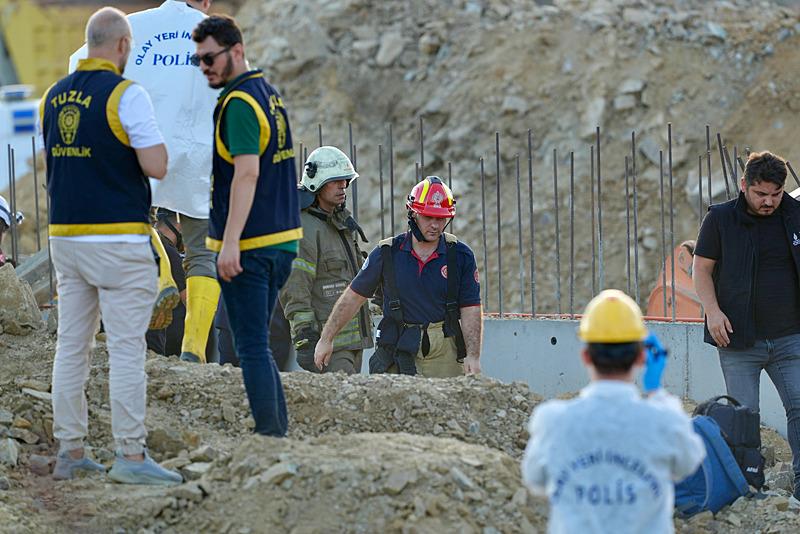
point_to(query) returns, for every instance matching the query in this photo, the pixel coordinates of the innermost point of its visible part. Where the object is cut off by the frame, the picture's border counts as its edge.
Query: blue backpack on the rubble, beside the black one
(717, 482)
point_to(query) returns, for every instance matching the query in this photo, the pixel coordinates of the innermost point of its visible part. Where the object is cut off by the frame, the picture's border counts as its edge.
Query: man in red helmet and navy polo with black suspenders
(432, 317)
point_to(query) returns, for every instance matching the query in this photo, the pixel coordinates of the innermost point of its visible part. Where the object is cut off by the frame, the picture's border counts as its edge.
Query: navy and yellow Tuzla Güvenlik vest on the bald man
(95, 183)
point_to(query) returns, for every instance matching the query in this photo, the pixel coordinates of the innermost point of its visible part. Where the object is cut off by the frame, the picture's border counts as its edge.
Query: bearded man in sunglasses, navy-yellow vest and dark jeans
(254, 222)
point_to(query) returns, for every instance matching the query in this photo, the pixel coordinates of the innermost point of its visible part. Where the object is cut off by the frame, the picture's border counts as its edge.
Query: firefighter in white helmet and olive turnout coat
(328, 260)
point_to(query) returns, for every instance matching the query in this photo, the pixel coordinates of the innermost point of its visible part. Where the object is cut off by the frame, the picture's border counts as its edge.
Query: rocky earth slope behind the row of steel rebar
(559, 68)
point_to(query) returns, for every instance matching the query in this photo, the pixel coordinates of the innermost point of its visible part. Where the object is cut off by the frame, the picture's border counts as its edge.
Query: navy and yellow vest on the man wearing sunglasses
(275, 215)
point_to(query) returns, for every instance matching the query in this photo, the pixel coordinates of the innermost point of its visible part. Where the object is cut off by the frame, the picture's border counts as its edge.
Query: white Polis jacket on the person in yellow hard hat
(608, 459)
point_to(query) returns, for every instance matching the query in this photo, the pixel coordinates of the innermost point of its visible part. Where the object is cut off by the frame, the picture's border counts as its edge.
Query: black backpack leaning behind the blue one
(741, 428)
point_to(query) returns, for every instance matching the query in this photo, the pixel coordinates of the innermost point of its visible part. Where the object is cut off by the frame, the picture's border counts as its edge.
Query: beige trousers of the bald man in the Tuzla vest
(118, 282)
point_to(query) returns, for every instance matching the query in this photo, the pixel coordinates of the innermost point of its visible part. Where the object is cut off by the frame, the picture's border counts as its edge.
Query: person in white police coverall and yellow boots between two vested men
(160, 61)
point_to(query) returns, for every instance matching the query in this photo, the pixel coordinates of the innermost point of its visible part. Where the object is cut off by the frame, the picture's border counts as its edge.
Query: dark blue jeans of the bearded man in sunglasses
(249, 300)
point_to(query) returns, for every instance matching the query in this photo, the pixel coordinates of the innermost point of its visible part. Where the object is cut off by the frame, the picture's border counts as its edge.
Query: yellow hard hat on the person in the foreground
(612, 317)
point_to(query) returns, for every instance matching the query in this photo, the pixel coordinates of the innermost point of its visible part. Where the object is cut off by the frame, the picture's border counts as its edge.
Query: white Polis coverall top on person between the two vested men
(183, 102)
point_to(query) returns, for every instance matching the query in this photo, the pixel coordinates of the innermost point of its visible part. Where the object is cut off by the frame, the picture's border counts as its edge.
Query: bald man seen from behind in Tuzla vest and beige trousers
(102, 143)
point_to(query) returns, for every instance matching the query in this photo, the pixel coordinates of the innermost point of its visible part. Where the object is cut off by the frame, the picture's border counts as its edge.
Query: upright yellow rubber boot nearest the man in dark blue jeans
(202, 297)
